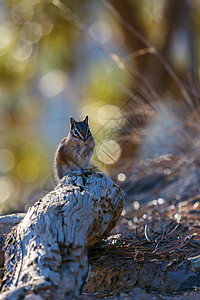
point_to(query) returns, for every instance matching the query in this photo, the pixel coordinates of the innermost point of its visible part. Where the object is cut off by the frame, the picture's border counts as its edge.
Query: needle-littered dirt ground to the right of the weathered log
(154, 252)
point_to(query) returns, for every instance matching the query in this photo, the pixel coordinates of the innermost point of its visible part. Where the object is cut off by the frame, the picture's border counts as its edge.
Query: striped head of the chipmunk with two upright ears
(80, 130)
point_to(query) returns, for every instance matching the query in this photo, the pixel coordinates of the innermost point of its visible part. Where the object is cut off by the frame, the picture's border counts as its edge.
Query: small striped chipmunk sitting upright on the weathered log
(74, 151)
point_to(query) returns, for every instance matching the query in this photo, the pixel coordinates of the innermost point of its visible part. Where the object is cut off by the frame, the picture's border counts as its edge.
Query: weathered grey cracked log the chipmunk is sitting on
(46, 252)
